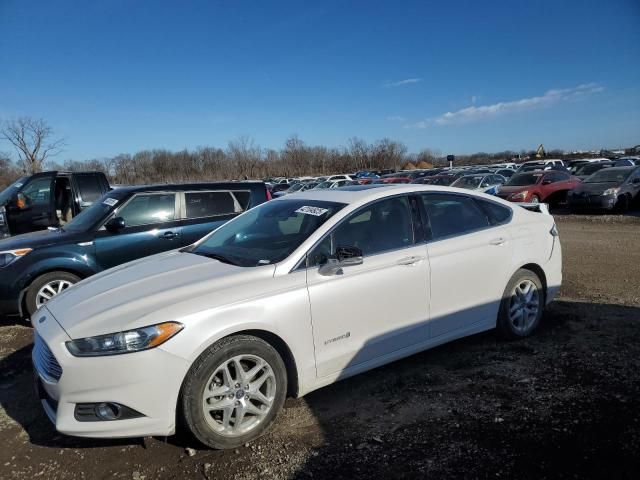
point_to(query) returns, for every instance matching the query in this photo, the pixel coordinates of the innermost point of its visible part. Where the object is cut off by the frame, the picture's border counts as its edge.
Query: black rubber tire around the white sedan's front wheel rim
(190, 401)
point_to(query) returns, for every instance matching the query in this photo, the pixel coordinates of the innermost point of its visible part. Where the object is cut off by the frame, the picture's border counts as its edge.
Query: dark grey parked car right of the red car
(610, 188)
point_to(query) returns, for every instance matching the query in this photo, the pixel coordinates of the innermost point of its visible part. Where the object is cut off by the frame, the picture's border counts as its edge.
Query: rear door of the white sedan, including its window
(469, 254)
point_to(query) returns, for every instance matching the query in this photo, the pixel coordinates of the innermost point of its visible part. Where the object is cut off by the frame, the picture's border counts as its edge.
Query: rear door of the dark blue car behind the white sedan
(204, 211)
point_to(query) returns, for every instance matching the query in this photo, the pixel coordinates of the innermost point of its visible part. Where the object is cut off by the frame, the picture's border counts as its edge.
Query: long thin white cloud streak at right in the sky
(473, 113)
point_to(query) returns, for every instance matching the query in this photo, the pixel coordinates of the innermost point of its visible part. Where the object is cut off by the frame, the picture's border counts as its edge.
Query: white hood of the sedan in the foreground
(152, 290)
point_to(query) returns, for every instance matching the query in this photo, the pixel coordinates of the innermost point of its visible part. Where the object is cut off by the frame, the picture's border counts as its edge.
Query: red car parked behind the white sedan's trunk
(547, 186)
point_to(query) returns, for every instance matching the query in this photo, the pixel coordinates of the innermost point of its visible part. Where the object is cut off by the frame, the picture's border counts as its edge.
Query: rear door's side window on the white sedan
(451, 215)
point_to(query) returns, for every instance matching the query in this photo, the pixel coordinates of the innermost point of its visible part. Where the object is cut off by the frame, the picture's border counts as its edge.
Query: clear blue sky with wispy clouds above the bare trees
(119, 76)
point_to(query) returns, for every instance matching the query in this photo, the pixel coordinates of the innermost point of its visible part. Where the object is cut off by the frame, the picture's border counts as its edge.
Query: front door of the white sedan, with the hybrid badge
(381, 306)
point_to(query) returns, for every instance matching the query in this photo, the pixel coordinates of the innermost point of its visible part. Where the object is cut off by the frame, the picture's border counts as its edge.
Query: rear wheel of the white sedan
(522, 305)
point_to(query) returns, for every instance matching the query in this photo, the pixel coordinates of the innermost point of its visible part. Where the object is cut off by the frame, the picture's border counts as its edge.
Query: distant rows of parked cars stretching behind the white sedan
(582, 184)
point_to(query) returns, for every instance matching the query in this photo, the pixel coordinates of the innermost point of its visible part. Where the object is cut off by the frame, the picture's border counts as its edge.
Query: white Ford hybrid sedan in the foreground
(290, 296)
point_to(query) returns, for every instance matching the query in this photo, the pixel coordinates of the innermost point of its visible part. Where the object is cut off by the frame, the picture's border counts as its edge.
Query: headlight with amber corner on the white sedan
(124, 342)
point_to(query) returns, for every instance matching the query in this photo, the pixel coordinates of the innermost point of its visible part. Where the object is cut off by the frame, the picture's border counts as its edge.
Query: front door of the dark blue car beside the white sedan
(151, 226)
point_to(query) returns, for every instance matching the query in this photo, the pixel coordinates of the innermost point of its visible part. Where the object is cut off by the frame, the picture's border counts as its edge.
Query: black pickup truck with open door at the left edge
(48, 199)
